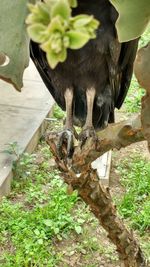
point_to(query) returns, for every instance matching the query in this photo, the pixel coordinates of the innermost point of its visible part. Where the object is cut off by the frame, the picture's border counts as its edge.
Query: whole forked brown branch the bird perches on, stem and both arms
(81, 177)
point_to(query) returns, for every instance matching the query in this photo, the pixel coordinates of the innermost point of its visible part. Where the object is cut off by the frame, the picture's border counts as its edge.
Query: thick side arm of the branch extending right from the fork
(116, 136)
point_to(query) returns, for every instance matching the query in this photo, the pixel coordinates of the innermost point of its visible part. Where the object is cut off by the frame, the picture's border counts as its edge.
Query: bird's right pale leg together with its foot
(88, 129)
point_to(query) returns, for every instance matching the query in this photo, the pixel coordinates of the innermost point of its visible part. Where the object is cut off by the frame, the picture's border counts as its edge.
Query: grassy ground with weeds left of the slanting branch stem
(39, 214)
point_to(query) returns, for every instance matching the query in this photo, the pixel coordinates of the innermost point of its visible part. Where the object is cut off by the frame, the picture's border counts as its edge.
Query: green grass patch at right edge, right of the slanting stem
(135, 176)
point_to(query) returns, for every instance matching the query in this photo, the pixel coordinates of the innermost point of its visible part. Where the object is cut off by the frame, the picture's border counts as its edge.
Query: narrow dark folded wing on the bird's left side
(39, 59)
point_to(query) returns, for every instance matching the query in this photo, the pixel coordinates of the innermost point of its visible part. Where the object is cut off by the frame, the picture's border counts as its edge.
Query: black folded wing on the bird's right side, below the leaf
(120, 65)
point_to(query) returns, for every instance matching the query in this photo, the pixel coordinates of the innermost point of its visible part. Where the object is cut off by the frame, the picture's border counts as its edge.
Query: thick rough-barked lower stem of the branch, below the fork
(100, 202)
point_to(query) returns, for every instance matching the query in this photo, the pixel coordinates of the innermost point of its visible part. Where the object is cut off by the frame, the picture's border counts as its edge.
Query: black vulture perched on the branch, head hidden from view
(94, 79)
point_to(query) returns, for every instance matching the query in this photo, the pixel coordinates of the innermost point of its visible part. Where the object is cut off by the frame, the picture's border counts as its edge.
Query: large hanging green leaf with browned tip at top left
(14, 41)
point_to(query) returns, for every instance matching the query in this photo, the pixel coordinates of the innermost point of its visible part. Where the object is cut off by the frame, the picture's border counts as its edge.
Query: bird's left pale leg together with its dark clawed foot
(66, 136)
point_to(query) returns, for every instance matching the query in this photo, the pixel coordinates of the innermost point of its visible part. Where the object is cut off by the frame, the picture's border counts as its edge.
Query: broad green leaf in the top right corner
(134, 16)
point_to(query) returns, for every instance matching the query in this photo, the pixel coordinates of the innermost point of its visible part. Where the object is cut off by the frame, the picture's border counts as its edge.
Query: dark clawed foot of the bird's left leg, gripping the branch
(65, 145)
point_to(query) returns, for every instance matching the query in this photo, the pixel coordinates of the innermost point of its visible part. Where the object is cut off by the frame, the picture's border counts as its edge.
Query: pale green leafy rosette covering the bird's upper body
(51, 25)
